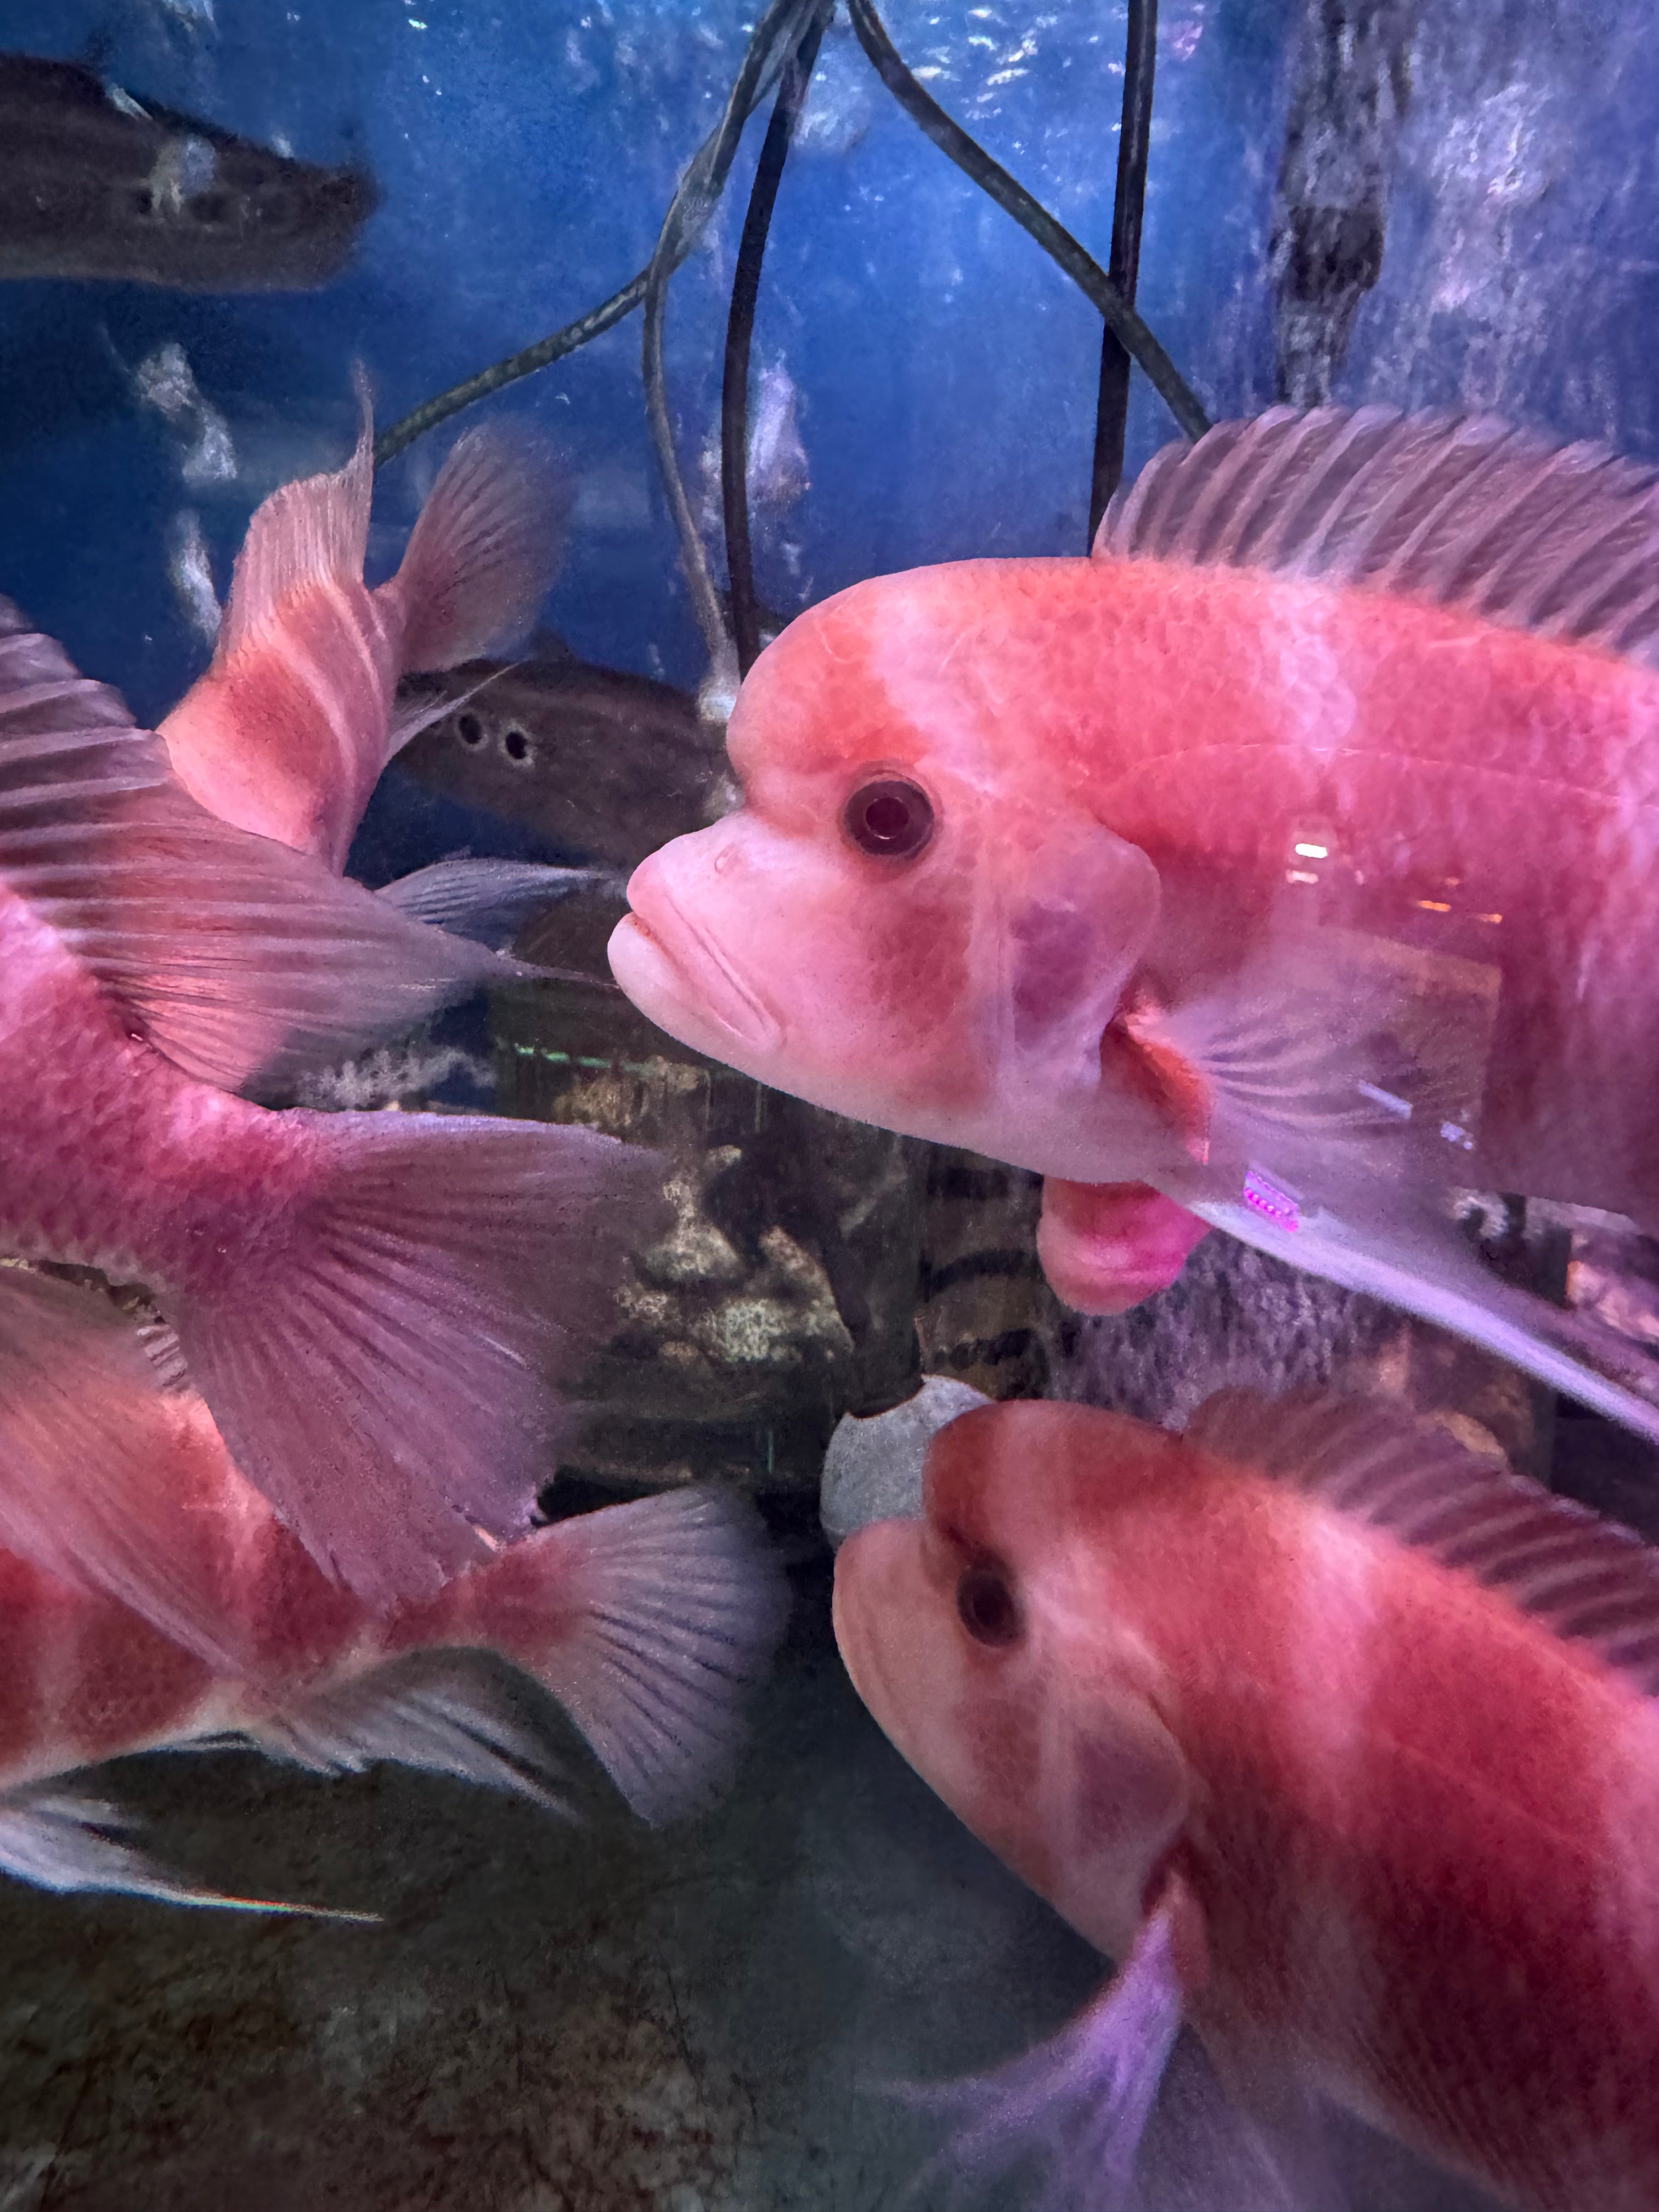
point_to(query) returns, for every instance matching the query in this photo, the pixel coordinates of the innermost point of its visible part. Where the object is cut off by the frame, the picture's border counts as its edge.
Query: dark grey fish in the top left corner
(96, 185)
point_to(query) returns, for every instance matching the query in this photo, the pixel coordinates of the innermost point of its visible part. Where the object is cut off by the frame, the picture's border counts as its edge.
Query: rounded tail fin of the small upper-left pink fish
(483, 554)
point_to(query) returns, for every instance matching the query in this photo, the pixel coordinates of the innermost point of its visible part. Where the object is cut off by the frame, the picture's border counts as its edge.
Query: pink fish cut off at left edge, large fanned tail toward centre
(377, 1308)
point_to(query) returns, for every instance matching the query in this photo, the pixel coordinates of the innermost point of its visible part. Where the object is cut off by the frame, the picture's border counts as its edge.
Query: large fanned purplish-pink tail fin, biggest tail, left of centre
(386, 1366)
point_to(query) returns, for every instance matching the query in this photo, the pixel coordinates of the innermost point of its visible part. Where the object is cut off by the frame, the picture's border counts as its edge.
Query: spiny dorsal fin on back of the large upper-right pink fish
(1463, 512)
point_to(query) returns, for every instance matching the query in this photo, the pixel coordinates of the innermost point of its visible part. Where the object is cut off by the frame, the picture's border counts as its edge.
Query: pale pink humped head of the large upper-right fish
(908, 919)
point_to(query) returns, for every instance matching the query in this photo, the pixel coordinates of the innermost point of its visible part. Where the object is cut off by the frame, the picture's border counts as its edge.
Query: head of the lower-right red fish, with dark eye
(983, 1640)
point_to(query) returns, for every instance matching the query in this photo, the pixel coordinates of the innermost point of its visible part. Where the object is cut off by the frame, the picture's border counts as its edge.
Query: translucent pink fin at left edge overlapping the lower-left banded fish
(81, 1434)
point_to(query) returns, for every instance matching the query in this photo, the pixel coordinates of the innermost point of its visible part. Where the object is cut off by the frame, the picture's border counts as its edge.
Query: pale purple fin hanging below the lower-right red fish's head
(1078, 2105)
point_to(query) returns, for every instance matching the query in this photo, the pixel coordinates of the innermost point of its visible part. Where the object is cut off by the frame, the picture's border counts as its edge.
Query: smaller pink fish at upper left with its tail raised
(293, 722)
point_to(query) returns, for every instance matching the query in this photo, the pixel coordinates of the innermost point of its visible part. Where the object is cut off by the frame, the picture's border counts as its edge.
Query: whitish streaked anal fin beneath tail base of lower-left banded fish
(446, 1713)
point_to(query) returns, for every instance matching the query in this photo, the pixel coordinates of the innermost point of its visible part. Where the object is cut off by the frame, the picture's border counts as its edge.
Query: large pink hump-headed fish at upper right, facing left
(1293, 855)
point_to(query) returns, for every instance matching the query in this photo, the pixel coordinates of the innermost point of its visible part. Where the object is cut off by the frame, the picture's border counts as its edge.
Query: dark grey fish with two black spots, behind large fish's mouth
(587, 758)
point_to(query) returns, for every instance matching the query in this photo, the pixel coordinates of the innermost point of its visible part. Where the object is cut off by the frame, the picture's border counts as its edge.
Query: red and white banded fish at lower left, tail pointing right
(645, 1620)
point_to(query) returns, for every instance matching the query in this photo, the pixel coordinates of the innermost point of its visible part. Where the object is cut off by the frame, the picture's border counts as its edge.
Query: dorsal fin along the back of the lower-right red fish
(1583, 1576)
